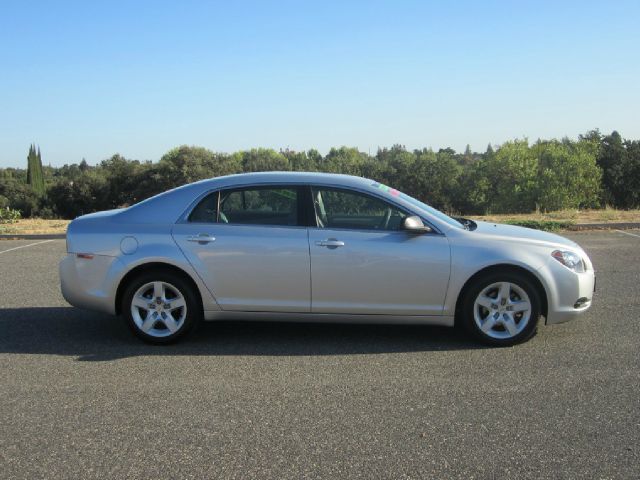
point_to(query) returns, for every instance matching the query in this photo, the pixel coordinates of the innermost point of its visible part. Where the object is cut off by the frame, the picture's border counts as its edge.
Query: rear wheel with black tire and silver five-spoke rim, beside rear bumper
(160, 307)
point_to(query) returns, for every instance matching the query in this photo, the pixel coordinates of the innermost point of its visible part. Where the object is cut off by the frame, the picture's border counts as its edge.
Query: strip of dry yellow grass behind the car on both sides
(36, 225)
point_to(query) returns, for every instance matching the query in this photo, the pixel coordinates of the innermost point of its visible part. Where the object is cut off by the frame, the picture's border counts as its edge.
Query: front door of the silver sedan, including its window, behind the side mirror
(362, 262)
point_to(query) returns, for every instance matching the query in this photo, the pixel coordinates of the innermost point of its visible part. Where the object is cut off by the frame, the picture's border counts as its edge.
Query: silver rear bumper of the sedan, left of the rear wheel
(86, 283)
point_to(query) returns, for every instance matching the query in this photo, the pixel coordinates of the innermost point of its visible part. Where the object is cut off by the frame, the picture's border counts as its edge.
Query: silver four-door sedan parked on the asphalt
(286, 246)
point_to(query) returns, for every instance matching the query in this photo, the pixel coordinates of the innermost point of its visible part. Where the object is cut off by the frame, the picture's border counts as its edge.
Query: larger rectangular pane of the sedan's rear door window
(259, 206)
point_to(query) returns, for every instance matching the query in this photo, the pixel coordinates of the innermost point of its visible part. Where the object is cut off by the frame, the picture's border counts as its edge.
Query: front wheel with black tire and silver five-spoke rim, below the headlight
(501, 309)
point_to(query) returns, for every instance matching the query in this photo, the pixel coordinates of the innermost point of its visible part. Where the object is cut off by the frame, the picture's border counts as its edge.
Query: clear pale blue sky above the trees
(88, 79)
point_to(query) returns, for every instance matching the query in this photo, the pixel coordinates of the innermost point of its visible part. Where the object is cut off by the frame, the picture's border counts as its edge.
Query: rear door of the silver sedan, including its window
(250, 248)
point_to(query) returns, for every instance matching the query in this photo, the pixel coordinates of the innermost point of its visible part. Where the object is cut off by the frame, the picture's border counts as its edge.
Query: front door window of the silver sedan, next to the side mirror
(347, 209)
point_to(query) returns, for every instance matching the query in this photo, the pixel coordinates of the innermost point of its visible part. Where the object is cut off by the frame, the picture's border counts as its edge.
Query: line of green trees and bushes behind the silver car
(592, 171)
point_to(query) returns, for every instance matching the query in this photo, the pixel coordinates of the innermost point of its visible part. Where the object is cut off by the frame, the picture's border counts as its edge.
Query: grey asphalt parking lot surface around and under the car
(80, 397)
